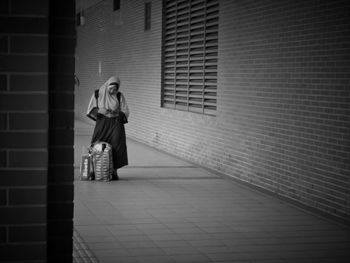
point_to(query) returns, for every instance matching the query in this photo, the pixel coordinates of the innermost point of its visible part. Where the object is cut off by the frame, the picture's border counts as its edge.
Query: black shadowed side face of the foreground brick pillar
(61, 133)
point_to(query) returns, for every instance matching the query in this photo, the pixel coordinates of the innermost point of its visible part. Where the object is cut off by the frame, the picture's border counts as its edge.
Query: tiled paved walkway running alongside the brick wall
(166, 210)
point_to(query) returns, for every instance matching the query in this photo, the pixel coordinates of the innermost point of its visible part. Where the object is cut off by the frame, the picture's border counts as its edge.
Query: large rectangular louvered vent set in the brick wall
(190, 55)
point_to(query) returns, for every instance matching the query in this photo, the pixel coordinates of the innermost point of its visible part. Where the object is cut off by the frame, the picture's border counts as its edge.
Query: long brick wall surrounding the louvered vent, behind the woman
(283, 94)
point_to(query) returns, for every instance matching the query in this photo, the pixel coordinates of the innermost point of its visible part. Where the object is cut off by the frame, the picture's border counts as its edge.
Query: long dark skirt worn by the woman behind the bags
(112, 131)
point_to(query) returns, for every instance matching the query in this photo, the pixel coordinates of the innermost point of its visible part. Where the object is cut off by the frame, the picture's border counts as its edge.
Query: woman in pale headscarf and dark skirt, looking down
(108, 126)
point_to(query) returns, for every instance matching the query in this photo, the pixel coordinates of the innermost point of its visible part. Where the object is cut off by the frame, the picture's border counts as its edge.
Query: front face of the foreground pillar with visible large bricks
(23, 131)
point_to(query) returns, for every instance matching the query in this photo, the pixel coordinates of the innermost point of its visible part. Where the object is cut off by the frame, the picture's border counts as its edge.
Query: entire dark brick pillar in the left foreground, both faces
(35, 181)
